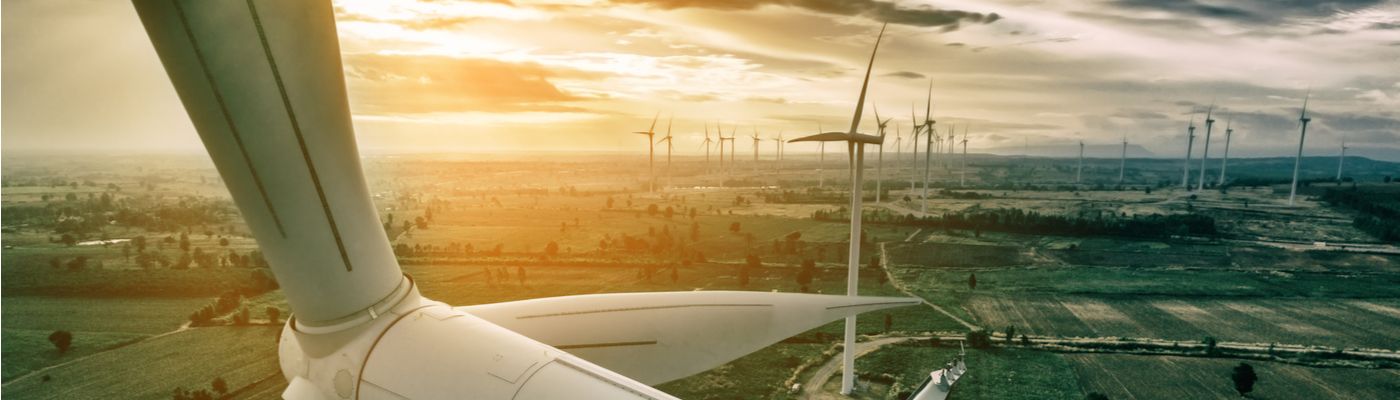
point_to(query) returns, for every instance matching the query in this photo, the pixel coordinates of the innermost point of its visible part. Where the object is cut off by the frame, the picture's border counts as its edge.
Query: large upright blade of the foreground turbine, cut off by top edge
(264, 86)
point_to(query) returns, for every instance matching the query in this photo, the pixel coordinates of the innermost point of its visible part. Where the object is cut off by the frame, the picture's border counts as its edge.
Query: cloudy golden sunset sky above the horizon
(577, 76)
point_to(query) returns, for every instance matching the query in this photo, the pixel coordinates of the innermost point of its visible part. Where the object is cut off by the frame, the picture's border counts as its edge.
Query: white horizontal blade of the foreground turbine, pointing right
(657, 338)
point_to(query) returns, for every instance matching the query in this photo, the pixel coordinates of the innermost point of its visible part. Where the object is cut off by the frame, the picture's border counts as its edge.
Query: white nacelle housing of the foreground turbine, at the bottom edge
(440, 353)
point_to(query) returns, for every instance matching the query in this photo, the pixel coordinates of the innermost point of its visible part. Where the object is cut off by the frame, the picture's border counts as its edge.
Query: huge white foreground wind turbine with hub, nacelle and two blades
(360, 329)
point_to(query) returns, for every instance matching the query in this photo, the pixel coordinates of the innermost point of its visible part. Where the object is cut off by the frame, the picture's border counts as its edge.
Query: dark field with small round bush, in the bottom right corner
(1172, 378)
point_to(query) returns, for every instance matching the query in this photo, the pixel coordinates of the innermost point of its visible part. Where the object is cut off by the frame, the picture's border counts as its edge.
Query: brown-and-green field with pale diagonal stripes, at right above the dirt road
(1368, 324)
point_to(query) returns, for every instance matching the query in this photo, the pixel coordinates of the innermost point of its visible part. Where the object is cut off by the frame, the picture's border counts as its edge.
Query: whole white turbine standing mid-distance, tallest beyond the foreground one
(856, 152)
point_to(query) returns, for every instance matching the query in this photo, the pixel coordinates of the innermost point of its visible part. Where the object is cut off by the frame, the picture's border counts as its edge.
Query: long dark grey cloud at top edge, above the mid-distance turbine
(885, 12)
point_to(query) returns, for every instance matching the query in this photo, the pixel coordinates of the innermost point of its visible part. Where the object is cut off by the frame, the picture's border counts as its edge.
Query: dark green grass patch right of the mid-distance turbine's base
(1006, 374)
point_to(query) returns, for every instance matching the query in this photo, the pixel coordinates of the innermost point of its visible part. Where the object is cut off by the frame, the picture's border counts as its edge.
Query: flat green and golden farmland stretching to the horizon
(586, 227)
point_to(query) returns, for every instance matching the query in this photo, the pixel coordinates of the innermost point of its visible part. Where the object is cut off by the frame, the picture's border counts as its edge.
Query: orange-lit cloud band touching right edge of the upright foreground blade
(429, 85)
